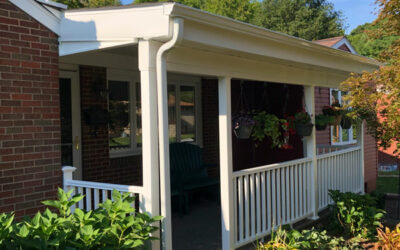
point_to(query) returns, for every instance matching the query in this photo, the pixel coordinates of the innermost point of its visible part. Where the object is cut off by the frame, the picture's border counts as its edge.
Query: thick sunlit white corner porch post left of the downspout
(148, 78)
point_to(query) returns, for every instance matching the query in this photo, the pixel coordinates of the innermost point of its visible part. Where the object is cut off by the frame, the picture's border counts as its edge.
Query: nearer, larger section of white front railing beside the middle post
(268, 196)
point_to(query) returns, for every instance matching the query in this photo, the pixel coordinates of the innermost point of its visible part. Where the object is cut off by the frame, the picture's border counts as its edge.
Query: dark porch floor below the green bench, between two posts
(200, 228)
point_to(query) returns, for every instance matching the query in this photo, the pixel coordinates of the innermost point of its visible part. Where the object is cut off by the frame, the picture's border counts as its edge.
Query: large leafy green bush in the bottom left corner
(115, 225)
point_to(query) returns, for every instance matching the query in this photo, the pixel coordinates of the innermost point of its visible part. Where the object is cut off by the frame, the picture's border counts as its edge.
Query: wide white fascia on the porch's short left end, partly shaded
(89, 28)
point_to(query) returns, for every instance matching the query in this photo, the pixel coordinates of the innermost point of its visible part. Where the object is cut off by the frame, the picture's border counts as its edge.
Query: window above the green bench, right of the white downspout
(184, 113)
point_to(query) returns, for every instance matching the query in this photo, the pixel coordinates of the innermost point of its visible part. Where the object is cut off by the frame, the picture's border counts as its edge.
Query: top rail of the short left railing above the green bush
(105, 186)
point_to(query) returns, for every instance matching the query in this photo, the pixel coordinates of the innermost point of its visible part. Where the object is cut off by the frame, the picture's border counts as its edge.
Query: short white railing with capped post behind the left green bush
(97, 192)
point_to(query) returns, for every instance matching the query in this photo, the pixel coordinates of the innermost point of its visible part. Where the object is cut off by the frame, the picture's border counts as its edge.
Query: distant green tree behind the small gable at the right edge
(368, 44)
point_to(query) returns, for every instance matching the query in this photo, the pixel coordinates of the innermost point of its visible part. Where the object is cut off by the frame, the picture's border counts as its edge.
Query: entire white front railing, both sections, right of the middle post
(268, 196)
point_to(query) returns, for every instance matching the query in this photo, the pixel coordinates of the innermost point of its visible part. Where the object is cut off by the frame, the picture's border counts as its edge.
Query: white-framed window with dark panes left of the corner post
(124, 107)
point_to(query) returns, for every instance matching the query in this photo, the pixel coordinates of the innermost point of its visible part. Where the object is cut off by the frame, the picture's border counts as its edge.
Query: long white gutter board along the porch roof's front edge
(251, 31)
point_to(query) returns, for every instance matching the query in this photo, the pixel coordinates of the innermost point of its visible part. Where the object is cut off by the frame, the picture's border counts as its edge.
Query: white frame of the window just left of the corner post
(132, 79)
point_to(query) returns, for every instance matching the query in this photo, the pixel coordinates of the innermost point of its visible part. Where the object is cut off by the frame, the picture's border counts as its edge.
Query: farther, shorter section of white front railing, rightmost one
(340, 170)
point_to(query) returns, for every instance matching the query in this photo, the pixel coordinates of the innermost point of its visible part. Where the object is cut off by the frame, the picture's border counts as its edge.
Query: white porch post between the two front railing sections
(311, 147)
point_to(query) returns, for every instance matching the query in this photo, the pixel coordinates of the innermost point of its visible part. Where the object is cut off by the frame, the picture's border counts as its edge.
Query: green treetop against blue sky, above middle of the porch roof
(308, 19)
